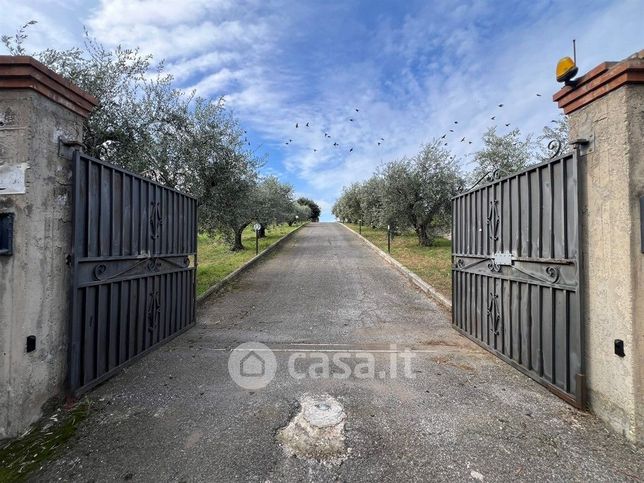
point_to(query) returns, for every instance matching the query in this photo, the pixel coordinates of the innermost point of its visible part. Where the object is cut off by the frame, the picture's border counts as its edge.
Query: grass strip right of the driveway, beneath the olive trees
(432, 264)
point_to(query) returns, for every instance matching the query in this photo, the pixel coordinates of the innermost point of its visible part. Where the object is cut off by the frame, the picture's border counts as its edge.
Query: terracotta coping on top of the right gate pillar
(601, 80)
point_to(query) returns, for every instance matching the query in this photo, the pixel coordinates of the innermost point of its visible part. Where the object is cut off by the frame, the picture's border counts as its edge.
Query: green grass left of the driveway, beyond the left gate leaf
(215, 260)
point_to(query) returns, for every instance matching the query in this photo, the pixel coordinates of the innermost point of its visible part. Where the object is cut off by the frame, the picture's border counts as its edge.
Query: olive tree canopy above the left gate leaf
(191, 143)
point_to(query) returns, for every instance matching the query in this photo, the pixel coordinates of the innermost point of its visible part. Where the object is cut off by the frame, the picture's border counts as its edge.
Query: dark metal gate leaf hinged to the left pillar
(134, 262)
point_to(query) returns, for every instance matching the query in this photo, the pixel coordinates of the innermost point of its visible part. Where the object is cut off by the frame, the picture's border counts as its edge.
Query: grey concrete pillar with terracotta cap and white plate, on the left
(37, 108)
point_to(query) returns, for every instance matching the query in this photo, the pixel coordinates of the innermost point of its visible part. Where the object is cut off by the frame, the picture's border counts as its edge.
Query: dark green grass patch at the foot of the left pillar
(23, 455)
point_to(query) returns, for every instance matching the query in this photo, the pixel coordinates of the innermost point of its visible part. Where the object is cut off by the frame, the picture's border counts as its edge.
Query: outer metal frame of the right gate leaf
(580, 399)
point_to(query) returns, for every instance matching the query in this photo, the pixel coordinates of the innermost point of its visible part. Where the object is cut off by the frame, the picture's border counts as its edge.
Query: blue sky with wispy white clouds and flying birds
(412, 68)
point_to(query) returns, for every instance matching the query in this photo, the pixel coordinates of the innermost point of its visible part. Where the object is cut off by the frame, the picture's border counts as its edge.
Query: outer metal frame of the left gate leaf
(73, 350)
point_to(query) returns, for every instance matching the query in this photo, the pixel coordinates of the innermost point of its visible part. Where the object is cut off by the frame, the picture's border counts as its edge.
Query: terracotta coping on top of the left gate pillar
(23, 72)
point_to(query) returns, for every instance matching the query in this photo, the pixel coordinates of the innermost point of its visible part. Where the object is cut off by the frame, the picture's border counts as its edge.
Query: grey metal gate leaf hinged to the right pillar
(515, 273)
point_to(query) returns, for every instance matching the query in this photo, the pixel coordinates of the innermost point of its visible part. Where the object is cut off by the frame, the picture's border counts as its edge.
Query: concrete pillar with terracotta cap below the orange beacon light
(606, 108)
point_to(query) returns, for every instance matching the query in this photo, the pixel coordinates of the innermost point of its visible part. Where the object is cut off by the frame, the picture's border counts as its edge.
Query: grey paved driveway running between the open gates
(177, 415)
